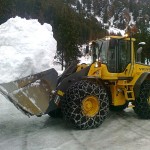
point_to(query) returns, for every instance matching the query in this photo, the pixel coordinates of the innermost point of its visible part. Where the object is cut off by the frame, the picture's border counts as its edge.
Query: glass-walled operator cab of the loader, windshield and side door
(114, 52)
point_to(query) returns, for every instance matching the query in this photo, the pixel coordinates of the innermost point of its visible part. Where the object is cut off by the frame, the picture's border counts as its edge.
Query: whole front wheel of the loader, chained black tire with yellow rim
(86, 104)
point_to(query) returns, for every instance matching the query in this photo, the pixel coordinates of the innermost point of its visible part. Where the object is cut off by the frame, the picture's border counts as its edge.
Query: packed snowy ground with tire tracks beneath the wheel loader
(120, 131)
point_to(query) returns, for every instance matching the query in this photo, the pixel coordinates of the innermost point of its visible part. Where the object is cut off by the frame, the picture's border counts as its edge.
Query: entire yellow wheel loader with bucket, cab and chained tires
(84, 93)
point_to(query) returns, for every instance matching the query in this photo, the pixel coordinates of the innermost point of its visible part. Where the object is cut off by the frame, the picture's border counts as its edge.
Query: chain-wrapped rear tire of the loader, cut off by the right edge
(142, 103)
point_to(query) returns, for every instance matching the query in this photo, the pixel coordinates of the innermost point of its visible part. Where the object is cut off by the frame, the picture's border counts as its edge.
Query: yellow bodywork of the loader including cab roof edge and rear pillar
(121, 85)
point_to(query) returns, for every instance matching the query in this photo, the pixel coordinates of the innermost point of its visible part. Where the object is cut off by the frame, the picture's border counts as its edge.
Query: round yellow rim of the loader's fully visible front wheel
(90, 106)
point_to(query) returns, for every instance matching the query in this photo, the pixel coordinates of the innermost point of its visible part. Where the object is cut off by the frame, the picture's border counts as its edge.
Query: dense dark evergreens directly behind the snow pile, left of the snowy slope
(70, 29)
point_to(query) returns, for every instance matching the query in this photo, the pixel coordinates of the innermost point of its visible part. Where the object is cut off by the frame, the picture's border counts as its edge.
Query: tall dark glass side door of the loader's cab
(119, 55)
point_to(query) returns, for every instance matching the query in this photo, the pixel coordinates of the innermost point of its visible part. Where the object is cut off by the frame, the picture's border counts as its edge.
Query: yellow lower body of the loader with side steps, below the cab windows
(120, 86)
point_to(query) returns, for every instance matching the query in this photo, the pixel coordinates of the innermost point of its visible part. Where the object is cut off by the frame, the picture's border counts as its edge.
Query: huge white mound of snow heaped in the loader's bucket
(26, 47)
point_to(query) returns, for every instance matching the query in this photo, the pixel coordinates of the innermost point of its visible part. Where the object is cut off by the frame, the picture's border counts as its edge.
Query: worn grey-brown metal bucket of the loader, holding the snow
(31, 94)
